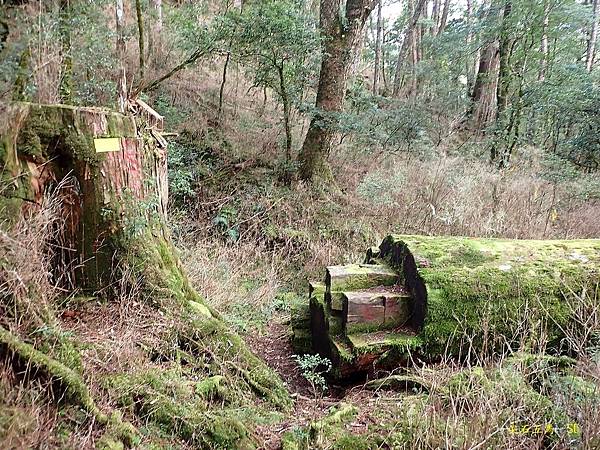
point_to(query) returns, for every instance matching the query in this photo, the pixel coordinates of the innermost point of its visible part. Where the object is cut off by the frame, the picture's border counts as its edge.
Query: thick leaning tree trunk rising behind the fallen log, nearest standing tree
(342, 38)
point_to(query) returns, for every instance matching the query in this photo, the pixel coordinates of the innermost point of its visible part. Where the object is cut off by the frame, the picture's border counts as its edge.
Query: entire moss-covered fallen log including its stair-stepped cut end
(427, 297)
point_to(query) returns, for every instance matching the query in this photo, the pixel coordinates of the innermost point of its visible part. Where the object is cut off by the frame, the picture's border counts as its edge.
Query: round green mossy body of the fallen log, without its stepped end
(494, 294)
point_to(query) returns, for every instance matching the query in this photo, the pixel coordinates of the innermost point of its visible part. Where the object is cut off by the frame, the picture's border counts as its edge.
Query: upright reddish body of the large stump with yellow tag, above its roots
(110, 172)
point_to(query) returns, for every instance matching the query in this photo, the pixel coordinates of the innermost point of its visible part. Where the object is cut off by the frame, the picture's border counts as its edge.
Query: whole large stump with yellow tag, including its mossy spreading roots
(193, 383)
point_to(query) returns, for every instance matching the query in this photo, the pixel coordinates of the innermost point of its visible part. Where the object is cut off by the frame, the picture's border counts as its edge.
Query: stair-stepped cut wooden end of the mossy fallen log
(360, 313)
